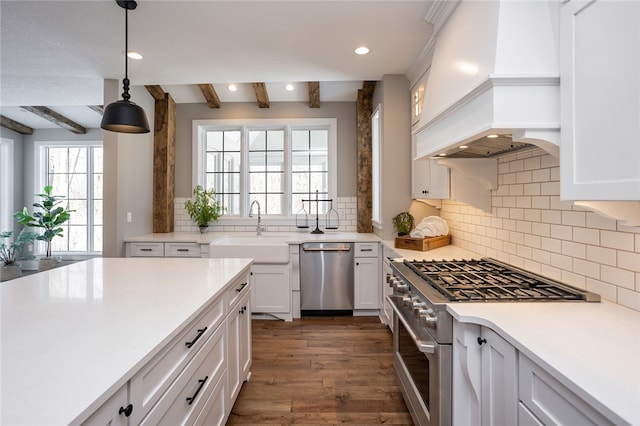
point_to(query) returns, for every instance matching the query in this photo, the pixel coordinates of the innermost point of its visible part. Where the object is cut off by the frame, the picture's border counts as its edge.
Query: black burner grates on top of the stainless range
(490, 280)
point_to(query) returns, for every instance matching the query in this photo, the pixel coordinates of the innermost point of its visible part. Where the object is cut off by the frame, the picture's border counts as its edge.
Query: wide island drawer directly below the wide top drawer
(185, 399)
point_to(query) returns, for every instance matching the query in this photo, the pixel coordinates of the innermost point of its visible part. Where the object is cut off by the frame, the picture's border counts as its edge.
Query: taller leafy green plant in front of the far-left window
(48, 216)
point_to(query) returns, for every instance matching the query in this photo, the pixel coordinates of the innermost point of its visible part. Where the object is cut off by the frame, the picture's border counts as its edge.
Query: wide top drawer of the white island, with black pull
(148, 385)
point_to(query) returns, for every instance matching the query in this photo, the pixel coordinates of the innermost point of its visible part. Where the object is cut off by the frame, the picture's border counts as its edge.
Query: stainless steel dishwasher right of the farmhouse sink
(326, 279)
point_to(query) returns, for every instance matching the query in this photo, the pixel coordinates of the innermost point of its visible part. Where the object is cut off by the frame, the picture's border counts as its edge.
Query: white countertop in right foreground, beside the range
(592, 348)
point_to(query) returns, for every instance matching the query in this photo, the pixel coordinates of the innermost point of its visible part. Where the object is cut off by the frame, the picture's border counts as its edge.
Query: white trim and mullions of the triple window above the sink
(199, 129)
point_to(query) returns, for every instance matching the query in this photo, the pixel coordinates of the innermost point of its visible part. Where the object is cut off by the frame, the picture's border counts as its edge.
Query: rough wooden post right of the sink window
(364, 109)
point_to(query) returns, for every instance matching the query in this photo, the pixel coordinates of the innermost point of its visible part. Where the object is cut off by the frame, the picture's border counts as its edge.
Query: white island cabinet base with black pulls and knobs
(196, 377)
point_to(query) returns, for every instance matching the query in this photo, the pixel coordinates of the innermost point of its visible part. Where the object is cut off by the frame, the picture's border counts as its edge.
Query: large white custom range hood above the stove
(494, 71)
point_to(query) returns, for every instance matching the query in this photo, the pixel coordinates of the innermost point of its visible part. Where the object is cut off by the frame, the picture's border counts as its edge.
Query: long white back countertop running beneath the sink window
(289, 237)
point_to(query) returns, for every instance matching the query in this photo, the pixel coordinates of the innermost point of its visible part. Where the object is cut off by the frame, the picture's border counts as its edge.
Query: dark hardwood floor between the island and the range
(321, 370)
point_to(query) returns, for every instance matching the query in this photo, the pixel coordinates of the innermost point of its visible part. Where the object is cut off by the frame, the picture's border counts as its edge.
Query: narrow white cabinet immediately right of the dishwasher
(367, 271)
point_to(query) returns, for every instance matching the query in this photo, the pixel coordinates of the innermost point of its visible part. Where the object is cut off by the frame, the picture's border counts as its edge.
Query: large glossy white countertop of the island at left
(73, 335)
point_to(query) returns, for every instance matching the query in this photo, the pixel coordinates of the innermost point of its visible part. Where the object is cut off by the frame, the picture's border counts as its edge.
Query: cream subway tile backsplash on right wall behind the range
(530, 227)
